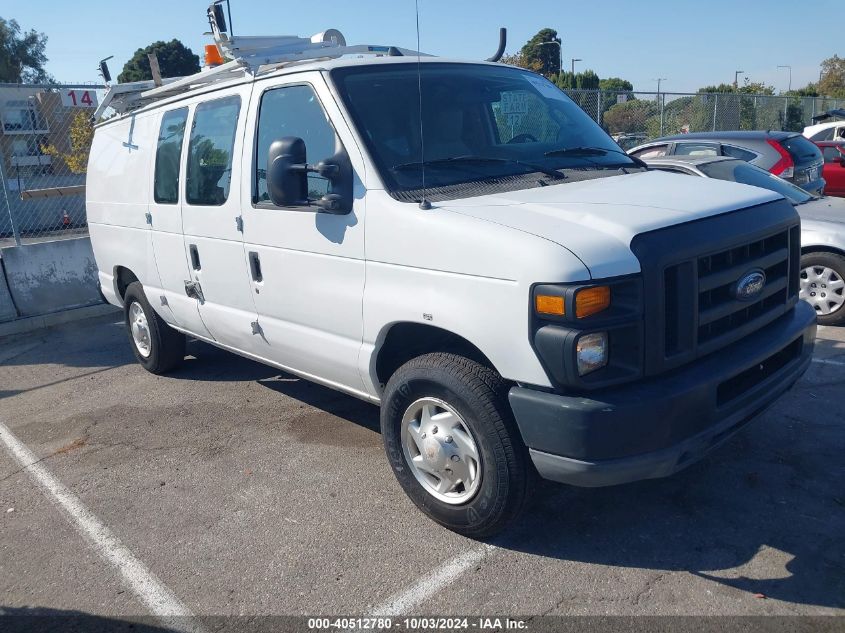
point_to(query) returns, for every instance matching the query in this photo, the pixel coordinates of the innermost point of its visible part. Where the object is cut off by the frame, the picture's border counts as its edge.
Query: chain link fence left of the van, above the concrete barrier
(45, 137)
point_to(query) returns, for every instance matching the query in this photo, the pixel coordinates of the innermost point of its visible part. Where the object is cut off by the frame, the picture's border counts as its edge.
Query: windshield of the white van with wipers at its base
(483, 128)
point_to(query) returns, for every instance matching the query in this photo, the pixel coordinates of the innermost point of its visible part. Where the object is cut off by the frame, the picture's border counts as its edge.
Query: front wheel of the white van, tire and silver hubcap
(456, 389)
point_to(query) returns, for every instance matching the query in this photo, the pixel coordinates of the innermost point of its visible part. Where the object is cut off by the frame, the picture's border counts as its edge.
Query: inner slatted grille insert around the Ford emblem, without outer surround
(720, 316)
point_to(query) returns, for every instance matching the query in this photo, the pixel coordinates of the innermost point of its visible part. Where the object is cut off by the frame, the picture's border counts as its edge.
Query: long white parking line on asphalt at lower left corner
(150, 590)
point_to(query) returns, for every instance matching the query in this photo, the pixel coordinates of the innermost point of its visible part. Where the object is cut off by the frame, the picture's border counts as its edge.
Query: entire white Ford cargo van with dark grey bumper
(461, 244)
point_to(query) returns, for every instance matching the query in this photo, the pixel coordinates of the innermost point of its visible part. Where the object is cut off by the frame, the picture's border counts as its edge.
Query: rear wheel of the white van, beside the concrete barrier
(163, 348)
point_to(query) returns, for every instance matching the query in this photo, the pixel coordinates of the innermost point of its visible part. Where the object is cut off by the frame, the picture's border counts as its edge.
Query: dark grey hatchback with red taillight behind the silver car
(785, 154)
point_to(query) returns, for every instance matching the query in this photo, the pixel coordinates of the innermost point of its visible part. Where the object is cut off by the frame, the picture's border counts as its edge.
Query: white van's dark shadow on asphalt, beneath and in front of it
(765, 514)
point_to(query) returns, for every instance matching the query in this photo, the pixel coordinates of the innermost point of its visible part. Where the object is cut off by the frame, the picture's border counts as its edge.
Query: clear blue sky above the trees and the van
(692, 44)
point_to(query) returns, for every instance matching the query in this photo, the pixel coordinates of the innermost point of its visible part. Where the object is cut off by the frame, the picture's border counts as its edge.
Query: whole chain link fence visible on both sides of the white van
(45, 137)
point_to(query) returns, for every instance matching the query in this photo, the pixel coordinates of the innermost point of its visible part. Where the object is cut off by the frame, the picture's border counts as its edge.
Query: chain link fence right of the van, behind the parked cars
(634, 117)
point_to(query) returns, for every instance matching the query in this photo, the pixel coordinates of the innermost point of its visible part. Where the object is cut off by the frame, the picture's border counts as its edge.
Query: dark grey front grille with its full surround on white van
(690, 272)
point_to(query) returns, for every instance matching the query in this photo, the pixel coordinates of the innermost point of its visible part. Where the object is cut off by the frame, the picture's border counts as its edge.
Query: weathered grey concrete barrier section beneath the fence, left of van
(51, 276)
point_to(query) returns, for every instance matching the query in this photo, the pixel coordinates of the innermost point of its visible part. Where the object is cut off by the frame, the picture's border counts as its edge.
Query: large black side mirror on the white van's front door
(287, 177)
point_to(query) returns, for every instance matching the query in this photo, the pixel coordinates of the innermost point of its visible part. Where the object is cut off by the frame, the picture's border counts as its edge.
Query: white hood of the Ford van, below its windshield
(597, 219)
